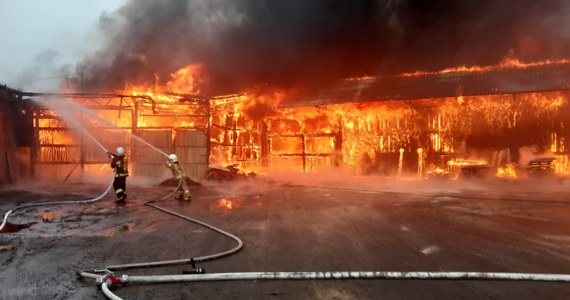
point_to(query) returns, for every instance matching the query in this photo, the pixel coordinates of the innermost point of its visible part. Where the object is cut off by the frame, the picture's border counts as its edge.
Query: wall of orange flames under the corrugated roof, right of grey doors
(370, 130)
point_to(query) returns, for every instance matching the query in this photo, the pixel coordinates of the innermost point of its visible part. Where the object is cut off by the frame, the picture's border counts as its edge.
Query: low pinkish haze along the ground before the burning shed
(535, 189)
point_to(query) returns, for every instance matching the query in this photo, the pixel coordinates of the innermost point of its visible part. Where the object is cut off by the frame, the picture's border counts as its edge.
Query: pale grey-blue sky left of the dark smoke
(38, 37)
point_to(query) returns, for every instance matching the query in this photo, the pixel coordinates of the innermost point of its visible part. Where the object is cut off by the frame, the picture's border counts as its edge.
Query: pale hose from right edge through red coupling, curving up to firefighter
(108, 281)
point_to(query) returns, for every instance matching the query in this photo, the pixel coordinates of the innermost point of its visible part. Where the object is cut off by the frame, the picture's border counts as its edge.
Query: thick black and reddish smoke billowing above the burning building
(301, 43)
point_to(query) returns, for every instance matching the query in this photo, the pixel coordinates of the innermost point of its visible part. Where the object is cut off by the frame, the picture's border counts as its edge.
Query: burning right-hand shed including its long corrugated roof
(413, 122)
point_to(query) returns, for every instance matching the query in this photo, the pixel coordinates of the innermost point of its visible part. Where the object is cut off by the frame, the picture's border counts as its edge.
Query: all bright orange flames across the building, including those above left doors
(251, 129)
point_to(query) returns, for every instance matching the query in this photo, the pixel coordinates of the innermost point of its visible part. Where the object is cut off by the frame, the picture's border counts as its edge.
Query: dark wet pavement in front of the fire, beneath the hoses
(358, 224)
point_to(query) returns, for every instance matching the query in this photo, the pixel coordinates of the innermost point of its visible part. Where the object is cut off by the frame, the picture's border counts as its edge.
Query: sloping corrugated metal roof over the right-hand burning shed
(541, 78)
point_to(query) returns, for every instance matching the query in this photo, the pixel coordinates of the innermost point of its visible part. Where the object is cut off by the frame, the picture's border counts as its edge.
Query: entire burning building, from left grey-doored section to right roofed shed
(393, 125)
